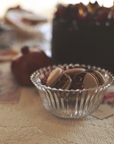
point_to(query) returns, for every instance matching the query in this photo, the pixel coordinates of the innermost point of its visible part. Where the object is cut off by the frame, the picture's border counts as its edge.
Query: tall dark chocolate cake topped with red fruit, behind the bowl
(83, 34)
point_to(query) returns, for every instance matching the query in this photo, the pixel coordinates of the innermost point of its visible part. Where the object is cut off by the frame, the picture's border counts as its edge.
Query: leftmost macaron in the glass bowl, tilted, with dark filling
(57, 79)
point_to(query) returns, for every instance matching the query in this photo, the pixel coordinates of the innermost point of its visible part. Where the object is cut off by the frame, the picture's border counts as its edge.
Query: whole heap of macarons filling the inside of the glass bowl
(76, 78)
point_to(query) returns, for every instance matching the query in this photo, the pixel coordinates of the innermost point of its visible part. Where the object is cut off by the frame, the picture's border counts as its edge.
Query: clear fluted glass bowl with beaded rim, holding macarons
(71, 103)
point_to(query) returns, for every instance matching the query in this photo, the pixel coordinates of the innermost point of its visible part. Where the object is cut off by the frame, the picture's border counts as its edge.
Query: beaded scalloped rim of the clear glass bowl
(105, 85)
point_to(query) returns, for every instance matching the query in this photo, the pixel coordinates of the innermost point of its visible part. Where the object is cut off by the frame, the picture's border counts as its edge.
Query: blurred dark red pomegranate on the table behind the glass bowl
(27, 62)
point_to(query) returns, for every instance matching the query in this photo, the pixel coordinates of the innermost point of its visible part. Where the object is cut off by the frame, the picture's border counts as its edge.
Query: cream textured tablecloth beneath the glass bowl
(28, 122)
